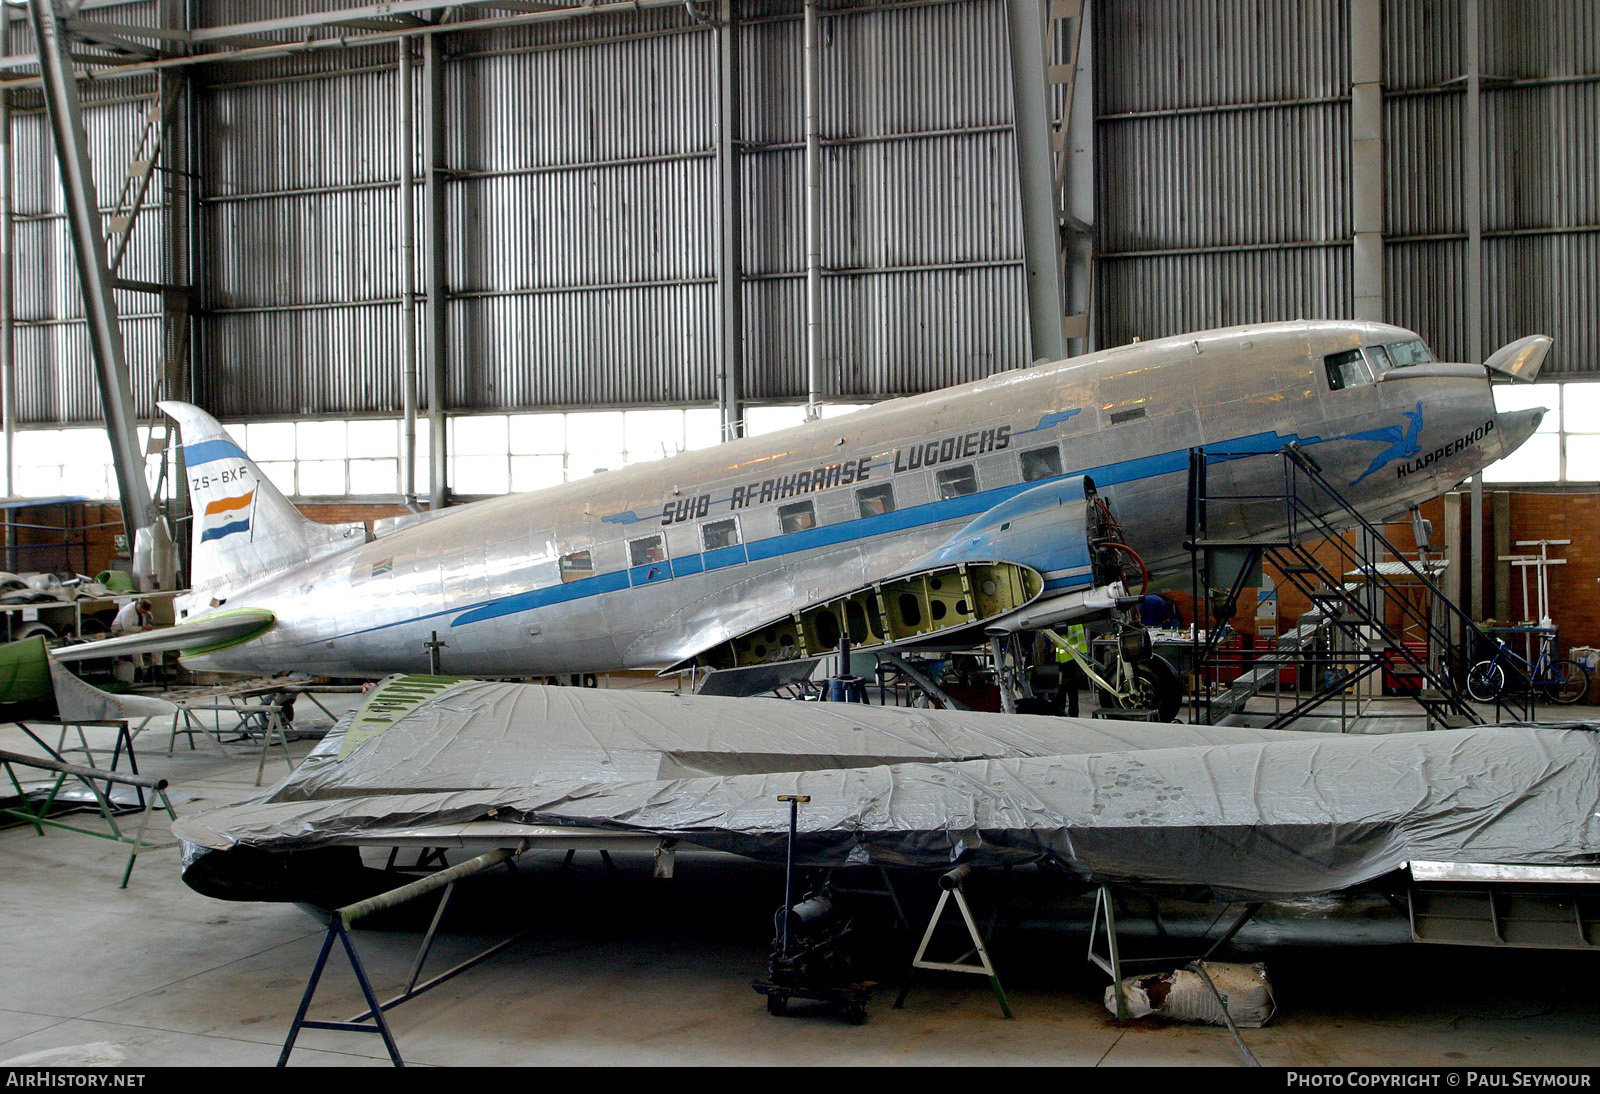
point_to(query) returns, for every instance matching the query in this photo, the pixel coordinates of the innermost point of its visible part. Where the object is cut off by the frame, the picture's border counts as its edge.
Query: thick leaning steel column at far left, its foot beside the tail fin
(78, 183)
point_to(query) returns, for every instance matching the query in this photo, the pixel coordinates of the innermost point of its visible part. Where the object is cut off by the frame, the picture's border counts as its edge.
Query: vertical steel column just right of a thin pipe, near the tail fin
(436, 270)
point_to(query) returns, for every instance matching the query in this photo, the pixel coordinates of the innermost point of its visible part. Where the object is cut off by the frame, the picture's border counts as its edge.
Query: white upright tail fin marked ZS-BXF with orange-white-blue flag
(244, 527)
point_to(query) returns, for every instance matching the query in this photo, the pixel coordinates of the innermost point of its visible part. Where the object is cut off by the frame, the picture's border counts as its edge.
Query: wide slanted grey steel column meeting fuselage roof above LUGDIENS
(1036, 174)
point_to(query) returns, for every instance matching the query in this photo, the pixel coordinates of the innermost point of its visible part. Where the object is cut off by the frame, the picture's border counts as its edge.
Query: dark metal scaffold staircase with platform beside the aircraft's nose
(1346, 637)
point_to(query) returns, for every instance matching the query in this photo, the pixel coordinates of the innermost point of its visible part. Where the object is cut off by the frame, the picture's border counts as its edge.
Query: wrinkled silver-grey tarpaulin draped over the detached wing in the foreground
(1246, 812)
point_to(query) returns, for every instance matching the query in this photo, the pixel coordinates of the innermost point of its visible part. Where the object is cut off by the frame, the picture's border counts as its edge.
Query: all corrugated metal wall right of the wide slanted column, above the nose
(1225, 169)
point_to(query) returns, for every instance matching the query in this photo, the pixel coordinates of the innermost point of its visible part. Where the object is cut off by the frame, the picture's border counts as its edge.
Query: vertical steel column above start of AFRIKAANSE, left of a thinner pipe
(730, 290)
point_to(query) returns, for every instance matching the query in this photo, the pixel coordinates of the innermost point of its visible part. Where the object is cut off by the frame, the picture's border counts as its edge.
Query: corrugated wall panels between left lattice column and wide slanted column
(583, 215)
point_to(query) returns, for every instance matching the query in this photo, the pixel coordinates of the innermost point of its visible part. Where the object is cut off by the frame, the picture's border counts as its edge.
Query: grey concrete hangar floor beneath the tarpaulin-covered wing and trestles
(622, 968)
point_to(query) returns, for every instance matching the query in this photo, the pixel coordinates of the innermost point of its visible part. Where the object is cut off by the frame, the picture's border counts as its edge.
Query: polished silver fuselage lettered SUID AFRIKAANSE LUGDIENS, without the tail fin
(487, 578)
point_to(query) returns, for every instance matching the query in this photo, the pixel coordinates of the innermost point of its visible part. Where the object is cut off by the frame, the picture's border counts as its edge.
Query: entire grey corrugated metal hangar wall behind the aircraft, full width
(583, 201)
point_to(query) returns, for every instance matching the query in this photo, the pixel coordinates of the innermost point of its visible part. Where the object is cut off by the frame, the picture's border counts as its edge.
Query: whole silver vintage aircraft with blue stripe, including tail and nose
(975, 511)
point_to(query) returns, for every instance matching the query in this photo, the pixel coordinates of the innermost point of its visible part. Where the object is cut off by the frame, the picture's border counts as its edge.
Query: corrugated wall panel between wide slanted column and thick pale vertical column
(1223, 164)
